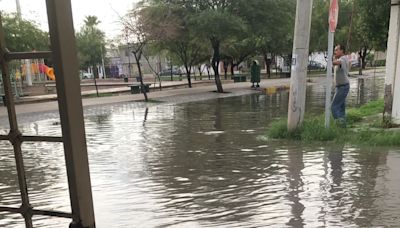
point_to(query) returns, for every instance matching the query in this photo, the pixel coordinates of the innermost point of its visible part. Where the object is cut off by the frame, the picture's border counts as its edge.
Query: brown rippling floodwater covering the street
(208, 164)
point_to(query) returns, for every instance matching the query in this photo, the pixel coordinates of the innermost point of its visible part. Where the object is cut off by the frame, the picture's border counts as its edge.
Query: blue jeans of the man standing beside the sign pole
(339, 102)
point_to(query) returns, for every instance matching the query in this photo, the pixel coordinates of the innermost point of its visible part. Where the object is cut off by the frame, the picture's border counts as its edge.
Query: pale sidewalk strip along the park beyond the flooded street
(202, 90)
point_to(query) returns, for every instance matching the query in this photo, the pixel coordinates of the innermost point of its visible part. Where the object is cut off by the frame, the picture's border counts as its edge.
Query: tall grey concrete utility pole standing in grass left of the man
(298, 82)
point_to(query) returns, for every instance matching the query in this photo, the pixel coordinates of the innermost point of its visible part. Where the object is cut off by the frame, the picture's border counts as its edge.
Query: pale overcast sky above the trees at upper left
(106, 10)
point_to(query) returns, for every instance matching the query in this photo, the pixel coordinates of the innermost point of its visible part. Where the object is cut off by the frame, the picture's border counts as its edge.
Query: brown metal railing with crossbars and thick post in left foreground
(71, 113)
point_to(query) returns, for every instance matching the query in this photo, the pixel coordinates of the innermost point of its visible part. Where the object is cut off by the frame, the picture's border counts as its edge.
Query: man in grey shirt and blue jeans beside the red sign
(341, 64)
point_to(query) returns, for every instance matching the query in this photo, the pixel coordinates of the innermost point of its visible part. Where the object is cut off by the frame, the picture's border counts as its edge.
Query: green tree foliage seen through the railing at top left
(23, 35)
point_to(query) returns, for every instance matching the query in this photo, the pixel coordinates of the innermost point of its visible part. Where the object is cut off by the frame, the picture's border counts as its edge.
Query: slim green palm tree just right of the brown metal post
(90, 43)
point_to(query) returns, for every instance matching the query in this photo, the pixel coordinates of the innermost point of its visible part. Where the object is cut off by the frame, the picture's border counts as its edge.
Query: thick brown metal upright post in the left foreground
(64, 55)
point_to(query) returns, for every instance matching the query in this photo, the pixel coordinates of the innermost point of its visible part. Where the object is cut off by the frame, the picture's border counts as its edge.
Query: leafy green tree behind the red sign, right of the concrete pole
(362, 26)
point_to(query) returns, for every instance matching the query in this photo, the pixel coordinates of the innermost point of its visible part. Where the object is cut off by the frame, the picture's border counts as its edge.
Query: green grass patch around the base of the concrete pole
(364, 127)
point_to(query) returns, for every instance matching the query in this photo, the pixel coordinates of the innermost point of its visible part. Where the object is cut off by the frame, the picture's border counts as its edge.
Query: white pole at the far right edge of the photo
(392, 67)
